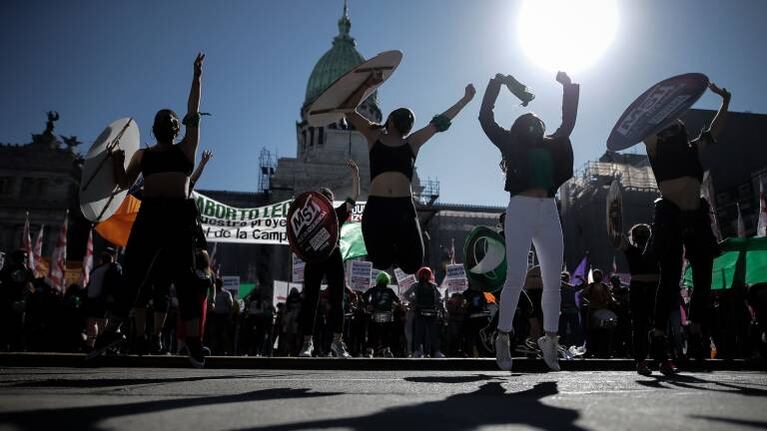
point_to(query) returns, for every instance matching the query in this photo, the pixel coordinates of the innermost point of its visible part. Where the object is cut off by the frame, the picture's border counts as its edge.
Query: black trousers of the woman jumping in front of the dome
(392, 233)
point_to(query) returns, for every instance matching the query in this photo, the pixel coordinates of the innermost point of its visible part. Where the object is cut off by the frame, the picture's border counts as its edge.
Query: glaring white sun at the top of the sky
(568, 35)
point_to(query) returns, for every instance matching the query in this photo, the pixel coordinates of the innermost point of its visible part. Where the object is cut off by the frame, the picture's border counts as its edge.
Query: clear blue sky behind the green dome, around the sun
(97, 61)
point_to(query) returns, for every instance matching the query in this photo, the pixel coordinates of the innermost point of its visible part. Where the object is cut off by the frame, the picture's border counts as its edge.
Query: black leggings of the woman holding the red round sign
(331, 268)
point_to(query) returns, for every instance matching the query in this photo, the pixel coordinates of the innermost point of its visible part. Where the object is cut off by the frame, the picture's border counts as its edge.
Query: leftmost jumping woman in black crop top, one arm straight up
(161, 246)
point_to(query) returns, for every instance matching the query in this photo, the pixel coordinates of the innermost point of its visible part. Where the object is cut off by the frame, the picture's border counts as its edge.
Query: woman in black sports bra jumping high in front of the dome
(390, 223)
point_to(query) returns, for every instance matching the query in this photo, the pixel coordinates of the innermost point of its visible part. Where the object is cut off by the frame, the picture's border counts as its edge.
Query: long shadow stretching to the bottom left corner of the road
(88, 418)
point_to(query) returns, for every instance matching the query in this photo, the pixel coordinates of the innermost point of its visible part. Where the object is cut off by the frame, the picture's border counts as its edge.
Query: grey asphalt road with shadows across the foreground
(145, 399)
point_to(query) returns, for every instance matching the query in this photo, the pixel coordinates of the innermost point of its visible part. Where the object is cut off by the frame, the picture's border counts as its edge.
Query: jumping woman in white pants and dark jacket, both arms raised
(535, 166)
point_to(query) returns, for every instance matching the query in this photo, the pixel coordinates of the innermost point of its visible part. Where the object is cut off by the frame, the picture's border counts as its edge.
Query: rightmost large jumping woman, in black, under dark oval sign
(681, 225)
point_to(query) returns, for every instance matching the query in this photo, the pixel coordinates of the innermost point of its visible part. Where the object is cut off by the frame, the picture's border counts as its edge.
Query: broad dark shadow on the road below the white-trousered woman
(489, 405)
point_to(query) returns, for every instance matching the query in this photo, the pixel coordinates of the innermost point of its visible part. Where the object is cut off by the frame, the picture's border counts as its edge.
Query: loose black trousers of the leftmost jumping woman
(160, 251)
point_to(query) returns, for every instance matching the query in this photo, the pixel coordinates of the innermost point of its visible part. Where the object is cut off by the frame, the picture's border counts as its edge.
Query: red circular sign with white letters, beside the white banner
(312, 227)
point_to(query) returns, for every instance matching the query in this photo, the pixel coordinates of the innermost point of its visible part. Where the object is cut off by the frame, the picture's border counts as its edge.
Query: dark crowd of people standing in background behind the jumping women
(595, 320)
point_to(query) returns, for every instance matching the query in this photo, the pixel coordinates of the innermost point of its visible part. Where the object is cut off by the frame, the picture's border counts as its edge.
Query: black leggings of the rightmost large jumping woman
(673, 229)
